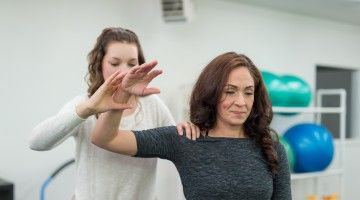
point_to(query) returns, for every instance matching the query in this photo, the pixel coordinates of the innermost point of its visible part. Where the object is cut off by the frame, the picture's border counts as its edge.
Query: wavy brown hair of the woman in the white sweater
(113, 34)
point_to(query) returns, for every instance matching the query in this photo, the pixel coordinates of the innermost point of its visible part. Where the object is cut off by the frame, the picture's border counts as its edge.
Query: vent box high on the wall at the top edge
(177, 10)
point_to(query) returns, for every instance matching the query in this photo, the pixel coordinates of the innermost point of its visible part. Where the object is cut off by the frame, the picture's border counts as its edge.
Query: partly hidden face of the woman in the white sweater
(119, 56)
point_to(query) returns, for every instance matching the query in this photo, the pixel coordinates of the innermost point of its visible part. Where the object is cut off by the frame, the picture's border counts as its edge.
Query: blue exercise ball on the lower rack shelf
(313, 147)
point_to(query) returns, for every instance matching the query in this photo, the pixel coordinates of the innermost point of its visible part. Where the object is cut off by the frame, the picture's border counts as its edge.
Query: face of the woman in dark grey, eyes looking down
(237, 98)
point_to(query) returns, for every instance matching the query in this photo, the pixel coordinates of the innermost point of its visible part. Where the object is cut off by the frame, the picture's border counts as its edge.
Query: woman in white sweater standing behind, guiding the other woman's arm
(103, 175)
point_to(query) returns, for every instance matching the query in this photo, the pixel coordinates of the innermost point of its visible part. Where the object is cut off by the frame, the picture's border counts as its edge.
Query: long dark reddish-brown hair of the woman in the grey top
(207, 92)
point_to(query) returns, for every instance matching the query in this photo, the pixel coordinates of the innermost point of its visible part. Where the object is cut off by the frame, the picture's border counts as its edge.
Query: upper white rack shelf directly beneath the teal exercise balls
(308, 110)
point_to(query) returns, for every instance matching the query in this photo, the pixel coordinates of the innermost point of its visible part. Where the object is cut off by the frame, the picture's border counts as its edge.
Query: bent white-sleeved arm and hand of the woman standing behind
(58, 128)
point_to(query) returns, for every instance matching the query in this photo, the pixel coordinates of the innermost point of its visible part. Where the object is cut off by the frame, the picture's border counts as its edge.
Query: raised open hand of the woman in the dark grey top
(135, 82)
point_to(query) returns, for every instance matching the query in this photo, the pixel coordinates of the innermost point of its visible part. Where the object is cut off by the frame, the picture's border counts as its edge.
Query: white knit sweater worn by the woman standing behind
(103, 175)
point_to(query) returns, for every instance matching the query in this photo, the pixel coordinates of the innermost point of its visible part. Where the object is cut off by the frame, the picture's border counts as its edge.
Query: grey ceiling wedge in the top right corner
(346, 11)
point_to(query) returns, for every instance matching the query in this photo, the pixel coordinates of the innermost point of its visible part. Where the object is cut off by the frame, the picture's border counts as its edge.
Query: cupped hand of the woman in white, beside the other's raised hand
(102, 100)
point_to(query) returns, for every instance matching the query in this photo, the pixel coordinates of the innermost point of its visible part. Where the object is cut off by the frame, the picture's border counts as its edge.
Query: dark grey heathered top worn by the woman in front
(218, 168)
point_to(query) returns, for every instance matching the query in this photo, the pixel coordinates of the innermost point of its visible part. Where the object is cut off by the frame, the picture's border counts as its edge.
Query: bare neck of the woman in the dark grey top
(227, 131)
